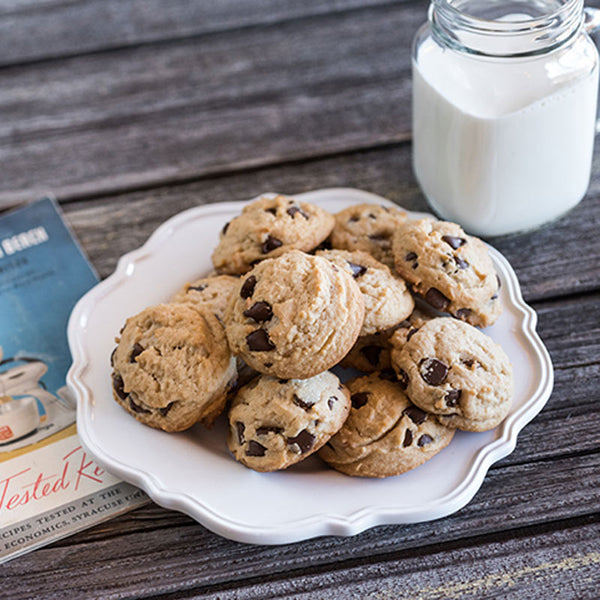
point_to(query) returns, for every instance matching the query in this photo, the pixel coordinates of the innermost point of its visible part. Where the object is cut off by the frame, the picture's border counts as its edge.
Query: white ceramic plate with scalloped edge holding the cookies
(193, 471)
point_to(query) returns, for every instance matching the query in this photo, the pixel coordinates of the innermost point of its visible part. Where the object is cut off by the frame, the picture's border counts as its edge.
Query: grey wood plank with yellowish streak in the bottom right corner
(564, 564)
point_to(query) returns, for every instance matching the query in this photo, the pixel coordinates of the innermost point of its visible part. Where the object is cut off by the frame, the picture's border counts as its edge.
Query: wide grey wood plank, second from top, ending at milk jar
(136, 117)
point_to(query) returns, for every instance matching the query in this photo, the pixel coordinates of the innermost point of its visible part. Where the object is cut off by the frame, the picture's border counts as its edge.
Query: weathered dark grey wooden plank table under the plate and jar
(130, 111)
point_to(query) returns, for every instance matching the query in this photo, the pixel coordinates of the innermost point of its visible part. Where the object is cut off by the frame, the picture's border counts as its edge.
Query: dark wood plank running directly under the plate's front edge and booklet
(190, 557)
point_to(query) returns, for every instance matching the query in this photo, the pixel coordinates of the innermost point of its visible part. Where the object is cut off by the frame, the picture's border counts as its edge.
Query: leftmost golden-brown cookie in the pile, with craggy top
(172, 367)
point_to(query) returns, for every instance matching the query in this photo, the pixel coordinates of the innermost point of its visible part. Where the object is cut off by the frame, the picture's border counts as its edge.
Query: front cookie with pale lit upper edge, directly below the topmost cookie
(275, 423)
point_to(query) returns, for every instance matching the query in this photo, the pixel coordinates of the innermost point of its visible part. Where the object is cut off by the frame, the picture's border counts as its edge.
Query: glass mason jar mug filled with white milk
(504, 110)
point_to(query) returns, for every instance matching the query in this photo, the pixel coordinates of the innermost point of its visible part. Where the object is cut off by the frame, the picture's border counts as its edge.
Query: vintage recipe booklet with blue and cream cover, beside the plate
(49, 486)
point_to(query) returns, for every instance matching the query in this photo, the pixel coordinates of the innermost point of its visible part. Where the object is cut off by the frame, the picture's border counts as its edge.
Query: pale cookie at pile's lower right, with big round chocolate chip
(453, 370)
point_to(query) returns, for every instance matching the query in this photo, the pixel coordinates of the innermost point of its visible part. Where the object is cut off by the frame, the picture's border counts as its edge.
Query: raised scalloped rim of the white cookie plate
(319, 523)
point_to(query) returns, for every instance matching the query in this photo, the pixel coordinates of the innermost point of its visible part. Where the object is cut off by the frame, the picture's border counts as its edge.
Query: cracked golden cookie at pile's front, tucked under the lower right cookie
(385, 433)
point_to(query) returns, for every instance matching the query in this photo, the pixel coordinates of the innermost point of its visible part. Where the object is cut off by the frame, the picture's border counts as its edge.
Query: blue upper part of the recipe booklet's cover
(43, 273)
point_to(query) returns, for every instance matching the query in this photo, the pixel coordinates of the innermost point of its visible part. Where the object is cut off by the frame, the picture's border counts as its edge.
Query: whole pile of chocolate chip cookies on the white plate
(297, 292)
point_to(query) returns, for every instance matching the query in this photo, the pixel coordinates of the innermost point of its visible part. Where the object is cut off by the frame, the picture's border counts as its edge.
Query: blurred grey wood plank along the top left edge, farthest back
(40, 30)
